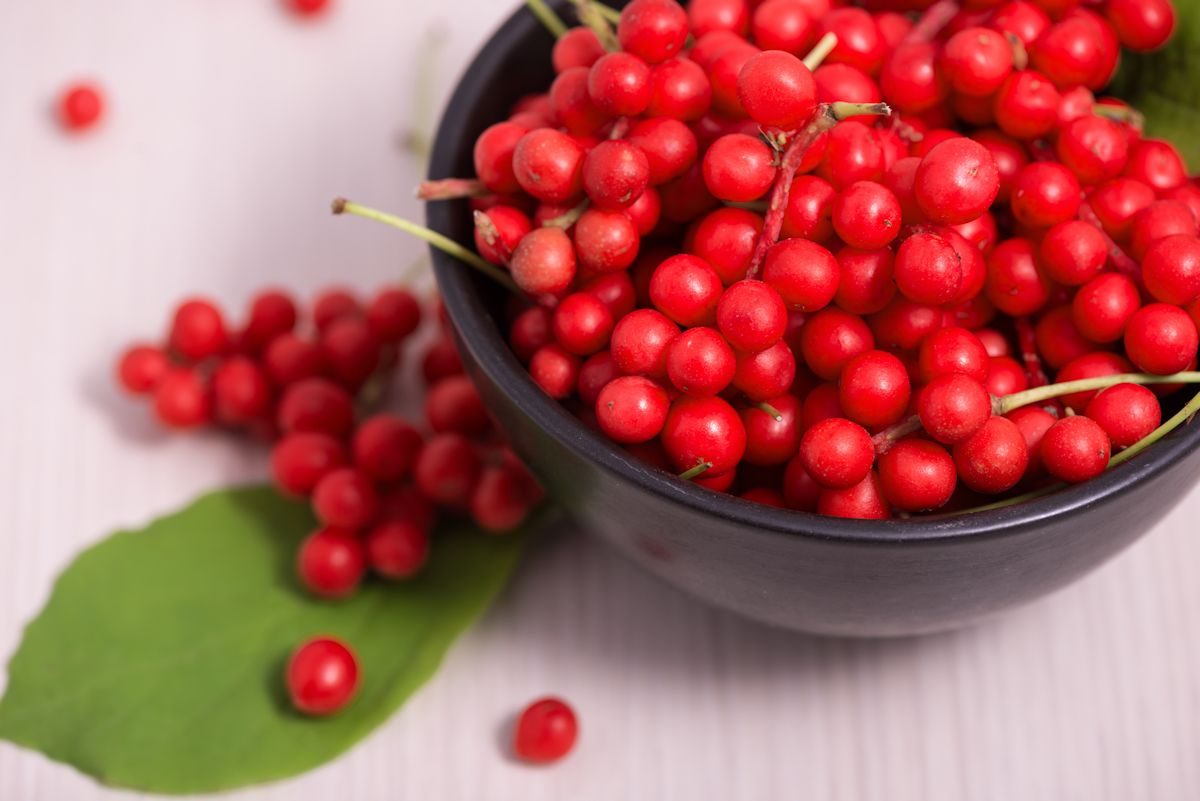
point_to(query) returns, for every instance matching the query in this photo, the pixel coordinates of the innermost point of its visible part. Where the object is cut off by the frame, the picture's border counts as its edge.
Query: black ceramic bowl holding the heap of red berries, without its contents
(788, 569)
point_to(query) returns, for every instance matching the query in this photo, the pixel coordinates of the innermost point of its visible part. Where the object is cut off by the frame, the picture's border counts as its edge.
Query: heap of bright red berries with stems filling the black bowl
(860, 261)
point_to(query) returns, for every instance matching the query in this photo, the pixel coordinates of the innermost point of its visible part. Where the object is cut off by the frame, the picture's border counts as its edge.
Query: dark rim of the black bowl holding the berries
(490, 351)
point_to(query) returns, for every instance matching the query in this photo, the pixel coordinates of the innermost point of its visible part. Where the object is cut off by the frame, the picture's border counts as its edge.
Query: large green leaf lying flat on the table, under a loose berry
(158, 664)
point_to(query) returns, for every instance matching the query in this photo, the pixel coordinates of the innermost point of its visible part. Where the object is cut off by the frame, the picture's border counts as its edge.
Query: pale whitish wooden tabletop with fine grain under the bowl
(231, 128)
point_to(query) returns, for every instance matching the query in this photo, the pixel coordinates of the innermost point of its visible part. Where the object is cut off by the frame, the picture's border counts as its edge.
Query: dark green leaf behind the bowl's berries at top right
(1163, 86)
